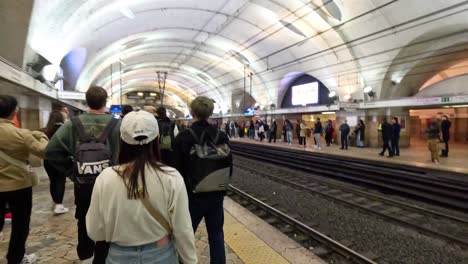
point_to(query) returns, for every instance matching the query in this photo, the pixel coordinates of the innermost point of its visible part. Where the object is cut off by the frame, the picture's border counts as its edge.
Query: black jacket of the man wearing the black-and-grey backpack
(184, 143)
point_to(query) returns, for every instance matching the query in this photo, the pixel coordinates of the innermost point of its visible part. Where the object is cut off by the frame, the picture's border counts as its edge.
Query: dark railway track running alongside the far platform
(401, 180)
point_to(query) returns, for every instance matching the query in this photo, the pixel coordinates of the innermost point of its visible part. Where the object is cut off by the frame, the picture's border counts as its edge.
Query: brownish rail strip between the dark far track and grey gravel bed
(453, 229)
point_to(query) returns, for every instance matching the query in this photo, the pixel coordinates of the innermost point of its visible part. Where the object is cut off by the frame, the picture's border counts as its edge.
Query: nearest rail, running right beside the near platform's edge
(294, 227)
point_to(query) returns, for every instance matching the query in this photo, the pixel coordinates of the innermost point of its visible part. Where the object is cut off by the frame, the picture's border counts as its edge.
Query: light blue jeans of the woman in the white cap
(146, 254)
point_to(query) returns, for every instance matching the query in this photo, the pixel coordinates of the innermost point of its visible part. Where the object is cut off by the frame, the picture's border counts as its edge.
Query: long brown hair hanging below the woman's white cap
(135, 158)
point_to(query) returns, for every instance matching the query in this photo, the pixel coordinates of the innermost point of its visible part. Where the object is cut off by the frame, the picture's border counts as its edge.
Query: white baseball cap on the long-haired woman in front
(139, 124)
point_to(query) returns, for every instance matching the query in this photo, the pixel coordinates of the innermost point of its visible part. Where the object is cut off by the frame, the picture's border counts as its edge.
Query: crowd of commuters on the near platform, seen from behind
(134, 184)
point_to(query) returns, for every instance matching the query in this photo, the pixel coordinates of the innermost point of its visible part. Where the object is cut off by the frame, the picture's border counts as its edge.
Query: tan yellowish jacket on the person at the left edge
(18, 143)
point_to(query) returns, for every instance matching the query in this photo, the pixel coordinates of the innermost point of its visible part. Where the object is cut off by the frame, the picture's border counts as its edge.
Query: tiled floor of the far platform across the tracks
(416, 155)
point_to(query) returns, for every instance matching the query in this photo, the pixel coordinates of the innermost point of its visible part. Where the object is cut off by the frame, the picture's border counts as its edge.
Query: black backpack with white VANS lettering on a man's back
(92, 155)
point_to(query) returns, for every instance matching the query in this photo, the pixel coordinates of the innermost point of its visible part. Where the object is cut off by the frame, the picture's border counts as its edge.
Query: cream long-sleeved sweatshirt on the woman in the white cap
(114, 218)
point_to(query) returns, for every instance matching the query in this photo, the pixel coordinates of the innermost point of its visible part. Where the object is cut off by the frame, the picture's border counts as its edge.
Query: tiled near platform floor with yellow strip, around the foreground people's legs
(248, 239)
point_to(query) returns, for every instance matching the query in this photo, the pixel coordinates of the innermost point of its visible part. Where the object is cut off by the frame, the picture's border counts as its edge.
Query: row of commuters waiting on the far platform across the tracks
(438, 132)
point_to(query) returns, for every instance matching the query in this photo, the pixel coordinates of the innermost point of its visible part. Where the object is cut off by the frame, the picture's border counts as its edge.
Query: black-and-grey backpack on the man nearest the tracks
(210, 164)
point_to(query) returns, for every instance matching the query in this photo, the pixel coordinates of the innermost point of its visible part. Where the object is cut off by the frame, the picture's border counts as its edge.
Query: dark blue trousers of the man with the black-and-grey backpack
(210, 207)
